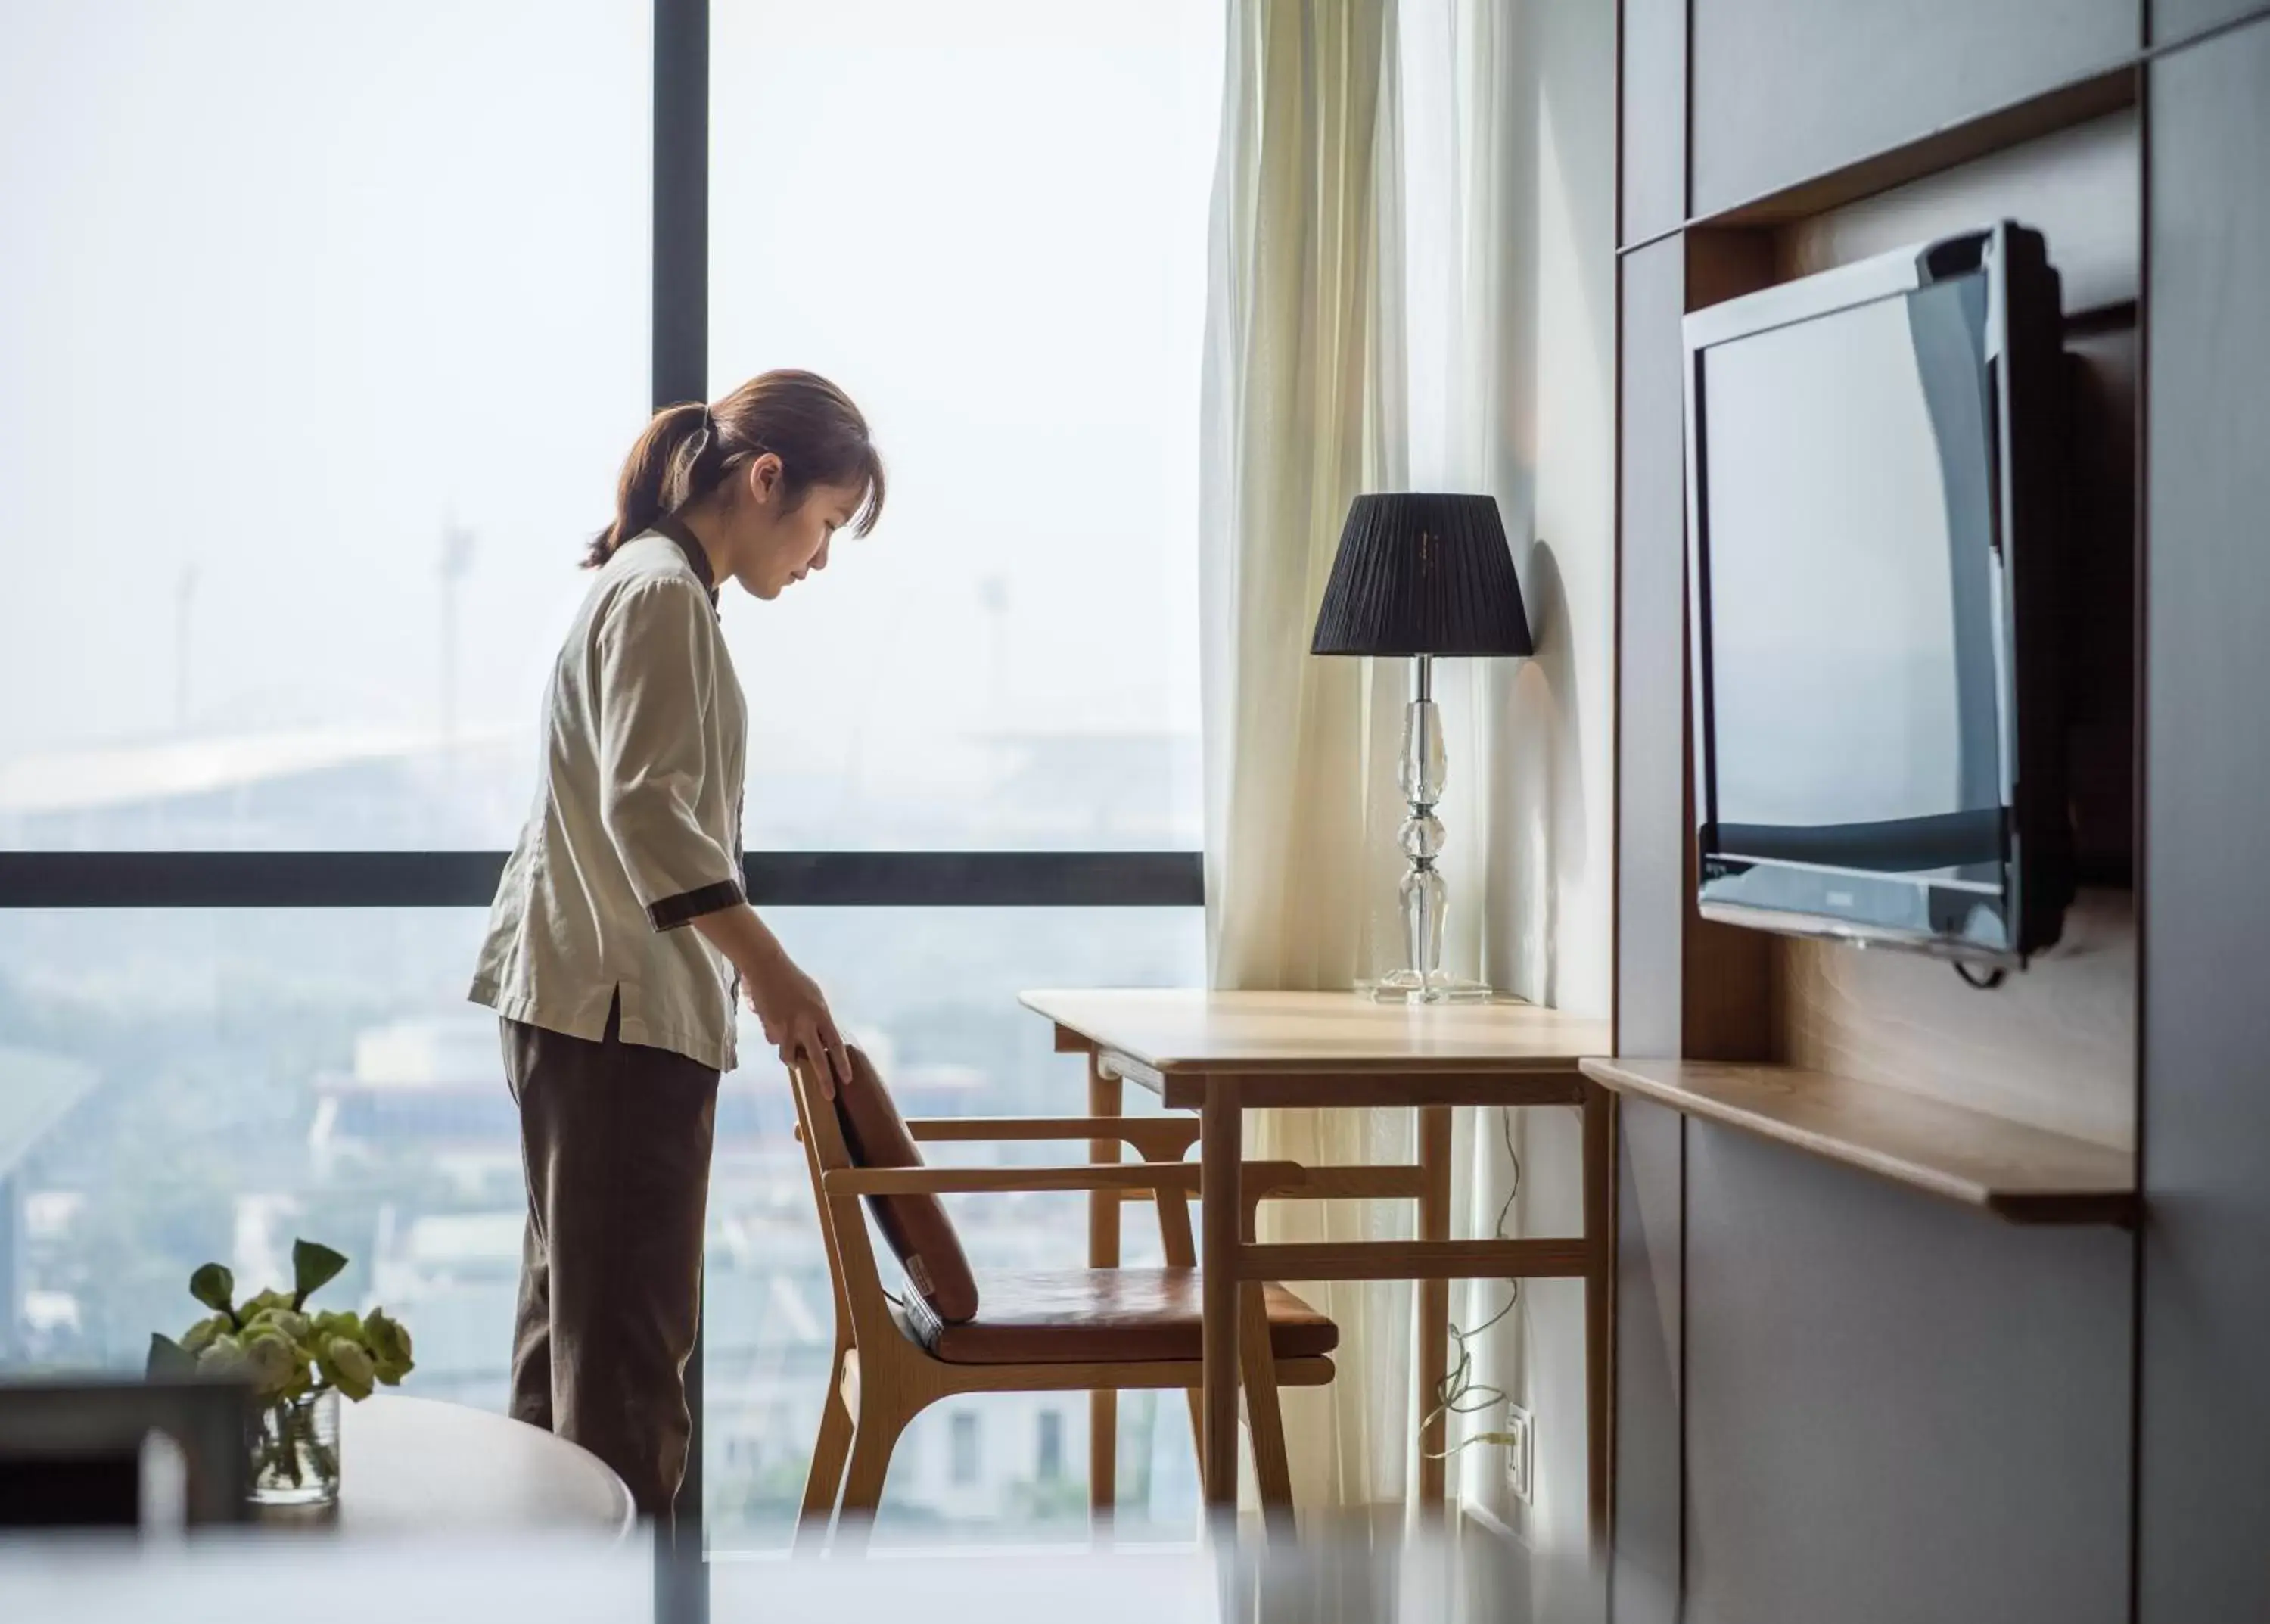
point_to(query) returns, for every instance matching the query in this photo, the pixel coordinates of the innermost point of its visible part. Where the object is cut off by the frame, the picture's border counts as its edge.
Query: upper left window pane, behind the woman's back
(323, 335)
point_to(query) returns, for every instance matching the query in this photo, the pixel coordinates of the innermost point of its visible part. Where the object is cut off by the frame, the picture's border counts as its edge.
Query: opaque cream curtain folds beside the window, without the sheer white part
(1304, 412)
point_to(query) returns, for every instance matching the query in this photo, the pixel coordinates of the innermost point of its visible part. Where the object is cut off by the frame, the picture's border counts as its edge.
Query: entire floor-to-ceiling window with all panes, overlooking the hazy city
(326, 333)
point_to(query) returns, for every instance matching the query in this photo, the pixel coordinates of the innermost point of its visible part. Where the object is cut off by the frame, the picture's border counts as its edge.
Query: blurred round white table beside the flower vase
(417, 1466)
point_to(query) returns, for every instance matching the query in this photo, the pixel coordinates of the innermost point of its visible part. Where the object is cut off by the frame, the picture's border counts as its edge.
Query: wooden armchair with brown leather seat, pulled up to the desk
(1043, 1330)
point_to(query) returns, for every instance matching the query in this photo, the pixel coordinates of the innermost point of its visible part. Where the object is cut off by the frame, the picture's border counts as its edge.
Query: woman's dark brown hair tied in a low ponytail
(689, 451)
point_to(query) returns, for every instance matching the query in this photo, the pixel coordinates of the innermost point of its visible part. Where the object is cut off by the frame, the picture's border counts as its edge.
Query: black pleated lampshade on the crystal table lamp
(1422, 574)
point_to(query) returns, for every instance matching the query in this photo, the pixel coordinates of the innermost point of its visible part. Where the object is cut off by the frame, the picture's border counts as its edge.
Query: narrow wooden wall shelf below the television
(2015, 1171)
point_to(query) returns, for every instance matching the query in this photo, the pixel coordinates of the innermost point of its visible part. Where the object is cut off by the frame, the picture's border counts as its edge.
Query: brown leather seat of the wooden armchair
(1102, 1319)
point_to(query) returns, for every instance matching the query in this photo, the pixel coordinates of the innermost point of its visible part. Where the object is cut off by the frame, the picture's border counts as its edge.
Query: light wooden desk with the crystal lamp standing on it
(1227, 1053)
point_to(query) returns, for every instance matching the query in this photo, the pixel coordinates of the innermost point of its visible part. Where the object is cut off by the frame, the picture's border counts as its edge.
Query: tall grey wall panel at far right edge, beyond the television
(2205, 1423)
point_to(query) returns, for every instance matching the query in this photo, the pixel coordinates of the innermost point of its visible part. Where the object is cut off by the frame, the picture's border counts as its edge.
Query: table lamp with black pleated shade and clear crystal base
(1424, 576)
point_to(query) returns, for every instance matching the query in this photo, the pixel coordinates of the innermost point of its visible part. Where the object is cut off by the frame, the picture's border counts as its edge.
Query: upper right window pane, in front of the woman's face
(989, 224)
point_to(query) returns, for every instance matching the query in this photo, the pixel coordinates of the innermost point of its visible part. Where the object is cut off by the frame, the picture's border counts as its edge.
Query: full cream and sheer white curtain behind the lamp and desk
(1345, 353)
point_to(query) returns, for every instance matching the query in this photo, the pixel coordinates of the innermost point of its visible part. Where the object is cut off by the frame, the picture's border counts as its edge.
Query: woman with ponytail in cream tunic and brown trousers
(621, 930)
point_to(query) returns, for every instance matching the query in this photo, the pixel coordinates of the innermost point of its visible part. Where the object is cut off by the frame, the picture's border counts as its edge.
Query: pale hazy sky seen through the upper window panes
(292, 287)
